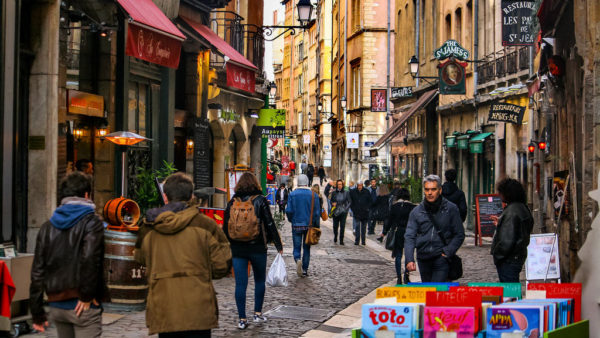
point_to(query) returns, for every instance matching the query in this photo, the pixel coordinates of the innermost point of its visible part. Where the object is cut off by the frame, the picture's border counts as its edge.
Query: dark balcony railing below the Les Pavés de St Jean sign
(501, 66)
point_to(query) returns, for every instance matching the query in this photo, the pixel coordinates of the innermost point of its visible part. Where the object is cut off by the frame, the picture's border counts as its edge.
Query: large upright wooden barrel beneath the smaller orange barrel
(126, 278)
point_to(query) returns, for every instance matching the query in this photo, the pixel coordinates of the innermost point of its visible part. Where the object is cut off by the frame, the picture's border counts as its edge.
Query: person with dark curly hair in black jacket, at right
(513, 229)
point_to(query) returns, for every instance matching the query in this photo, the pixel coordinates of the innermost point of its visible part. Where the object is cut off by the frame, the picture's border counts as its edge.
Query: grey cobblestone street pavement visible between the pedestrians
(334, 284)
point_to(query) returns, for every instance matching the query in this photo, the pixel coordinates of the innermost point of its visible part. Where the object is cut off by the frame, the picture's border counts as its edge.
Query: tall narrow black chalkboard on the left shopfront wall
(202, 165)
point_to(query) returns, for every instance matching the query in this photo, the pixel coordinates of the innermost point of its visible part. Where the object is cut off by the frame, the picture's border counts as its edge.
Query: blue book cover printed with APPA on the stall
(526, 320)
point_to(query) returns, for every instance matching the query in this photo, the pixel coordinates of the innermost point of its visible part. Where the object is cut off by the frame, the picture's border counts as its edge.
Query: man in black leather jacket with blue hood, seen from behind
(68, 264)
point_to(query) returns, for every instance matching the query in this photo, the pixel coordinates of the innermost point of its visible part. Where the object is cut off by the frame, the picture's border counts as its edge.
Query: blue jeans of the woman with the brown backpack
(240, 269)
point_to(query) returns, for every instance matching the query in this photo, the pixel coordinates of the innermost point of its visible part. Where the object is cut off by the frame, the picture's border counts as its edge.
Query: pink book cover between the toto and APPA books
(460, 320)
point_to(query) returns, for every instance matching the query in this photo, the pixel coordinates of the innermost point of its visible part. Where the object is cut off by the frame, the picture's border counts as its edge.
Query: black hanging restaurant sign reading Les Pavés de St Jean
(517, 19)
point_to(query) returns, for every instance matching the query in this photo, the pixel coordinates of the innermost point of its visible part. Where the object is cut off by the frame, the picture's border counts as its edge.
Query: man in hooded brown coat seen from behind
(183, 251)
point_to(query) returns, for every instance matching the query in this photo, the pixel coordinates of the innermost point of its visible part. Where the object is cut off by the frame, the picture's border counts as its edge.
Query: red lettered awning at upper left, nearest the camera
(151, 36)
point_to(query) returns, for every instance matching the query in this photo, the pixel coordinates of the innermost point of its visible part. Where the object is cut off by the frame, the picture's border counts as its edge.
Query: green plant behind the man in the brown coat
(146, 194)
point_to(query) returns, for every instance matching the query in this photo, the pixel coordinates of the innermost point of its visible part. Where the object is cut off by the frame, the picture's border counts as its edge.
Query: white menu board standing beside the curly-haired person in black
(542, 257)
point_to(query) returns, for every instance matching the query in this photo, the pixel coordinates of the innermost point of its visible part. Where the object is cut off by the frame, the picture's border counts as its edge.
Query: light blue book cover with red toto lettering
(388, 321)
